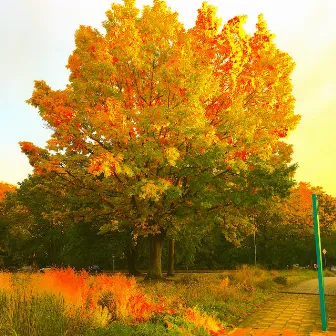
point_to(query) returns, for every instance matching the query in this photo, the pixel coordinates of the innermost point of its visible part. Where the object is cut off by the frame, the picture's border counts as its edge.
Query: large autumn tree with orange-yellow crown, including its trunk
(159, 123)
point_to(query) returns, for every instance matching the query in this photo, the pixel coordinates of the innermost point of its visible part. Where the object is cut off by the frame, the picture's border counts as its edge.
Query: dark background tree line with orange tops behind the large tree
(284, 236)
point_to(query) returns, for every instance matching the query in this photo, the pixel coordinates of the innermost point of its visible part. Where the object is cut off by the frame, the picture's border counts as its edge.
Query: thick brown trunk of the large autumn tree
(155, 253)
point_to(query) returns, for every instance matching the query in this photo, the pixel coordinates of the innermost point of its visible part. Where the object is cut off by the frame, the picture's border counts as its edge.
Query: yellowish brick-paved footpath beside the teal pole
(295, 312)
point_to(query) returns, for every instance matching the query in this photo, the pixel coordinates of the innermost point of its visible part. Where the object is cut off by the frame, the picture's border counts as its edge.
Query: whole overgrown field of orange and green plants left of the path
(65, 302)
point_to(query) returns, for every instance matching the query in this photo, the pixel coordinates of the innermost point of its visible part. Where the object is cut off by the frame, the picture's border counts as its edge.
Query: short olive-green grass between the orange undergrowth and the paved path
(230, 296)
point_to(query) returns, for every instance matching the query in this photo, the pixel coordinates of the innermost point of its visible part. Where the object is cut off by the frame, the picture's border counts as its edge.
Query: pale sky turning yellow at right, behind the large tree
(38, 36)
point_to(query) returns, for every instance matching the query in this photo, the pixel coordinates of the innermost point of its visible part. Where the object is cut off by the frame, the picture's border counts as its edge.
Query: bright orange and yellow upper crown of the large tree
(147, 65)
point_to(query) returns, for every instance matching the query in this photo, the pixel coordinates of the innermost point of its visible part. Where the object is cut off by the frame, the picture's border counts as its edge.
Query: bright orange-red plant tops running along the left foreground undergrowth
(86, 293)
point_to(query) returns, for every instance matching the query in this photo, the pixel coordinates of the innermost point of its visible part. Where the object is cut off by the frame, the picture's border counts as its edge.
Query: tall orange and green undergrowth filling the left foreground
(63, 302)
